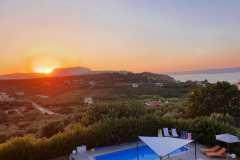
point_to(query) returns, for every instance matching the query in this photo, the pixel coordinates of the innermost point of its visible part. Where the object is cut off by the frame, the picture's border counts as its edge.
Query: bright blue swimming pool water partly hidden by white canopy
(144, 153)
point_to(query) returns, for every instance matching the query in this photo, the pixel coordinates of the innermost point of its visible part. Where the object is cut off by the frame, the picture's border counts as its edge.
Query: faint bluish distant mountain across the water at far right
(210, 71)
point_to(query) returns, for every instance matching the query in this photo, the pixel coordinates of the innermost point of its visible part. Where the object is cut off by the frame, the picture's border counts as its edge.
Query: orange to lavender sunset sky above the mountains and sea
(134, 35)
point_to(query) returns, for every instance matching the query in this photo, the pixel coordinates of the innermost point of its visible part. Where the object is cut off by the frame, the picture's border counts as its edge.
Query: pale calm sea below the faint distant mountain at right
(212, 78)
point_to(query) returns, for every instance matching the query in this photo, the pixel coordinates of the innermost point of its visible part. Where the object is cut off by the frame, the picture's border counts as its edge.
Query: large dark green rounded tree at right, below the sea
(221, 97)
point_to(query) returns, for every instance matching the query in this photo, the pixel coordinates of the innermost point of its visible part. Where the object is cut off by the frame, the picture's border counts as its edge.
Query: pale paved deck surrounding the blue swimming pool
(186, 156)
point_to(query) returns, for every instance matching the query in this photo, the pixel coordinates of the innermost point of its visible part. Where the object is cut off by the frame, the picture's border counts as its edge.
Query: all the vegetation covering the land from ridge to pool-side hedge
(119, 114)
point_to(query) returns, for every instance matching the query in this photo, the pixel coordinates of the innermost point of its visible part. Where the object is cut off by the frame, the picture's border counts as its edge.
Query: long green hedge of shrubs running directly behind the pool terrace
(106, 132)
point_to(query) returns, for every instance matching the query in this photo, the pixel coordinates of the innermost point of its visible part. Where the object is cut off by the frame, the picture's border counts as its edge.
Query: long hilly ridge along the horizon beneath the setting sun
(81, 71)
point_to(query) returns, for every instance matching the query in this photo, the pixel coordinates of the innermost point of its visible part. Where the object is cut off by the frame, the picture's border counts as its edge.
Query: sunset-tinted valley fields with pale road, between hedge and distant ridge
(41, 103)
